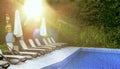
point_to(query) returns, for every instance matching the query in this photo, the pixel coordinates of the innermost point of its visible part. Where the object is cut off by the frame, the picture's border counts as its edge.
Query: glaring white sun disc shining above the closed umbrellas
(33, 8)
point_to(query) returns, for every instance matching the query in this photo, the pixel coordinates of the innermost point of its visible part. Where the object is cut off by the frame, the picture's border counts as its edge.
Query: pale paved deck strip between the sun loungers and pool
(46, 60)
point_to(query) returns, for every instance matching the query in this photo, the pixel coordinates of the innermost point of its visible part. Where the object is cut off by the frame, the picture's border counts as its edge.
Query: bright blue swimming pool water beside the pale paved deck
(90, 59)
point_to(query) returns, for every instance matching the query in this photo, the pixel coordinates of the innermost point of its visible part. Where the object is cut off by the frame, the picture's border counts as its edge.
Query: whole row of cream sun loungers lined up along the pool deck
(26, 52)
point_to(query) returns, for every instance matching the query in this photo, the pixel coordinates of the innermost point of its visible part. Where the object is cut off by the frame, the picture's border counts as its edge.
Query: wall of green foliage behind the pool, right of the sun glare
(90, 22)
